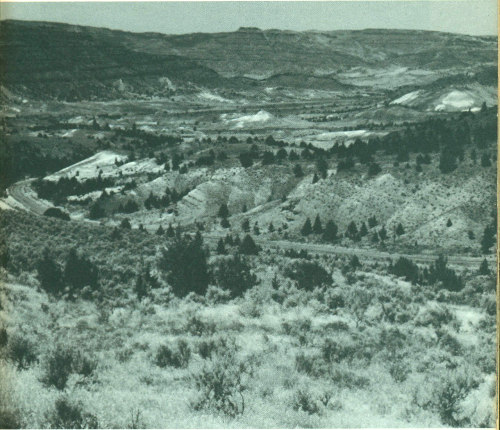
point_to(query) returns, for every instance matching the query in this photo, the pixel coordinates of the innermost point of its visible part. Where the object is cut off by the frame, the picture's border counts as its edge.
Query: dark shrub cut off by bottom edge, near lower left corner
(70, 415)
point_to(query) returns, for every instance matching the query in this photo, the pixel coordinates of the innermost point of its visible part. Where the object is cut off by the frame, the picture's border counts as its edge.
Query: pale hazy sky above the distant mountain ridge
(476, 17)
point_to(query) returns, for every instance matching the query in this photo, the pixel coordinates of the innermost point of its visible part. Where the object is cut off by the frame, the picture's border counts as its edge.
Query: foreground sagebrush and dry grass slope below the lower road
(248, 337)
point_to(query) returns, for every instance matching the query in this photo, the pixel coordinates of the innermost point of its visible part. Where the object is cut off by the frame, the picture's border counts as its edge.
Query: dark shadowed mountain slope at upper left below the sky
(40, 60)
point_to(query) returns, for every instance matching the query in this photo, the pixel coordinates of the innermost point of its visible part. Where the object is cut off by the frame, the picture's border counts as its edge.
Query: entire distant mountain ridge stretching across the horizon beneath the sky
(40, 59)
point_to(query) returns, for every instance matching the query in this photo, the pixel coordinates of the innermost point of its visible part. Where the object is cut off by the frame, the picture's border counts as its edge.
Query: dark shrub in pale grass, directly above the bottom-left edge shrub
(61, 362)
